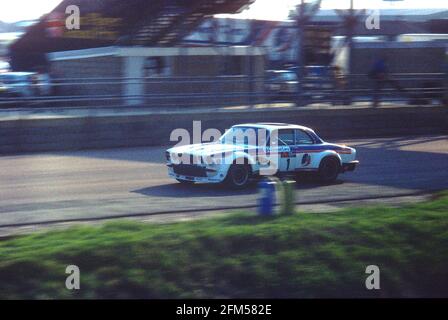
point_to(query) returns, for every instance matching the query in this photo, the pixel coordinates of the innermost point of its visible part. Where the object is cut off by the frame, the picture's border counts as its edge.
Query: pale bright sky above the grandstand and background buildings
(14, 10)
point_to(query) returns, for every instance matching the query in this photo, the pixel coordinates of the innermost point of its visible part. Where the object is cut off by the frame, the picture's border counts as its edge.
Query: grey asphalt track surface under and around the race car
(99, 184)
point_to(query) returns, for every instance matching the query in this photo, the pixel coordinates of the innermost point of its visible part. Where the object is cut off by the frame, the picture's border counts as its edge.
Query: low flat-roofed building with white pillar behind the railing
(192, 71)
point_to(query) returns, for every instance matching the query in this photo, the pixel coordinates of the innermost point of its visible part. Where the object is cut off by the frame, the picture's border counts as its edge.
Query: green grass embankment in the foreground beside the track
(303, 255)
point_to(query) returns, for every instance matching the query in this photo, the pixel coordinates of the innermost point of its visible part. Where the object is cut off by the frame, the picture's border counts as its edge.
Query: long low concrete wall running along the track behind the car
(37, 135)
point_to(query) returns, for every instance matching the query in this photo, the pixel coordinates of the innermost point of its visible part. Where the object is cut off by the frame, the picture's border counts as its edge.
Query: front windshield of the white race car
(245, 135)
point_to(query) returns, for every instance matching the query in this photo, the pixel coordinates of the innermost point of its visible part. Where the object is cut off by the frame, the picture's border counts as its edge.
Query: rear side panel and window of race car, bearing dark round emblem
(303, 150)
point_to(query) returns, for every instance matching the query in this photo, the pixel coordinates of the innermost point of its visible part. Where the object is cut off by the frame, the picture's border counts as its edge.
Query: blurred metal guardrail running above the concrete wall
(229, 90)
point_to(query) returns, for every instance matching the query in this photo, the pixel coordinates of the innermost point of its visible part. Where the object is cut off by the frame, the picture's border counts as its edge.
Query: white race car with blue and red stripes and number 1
(248, 151)
